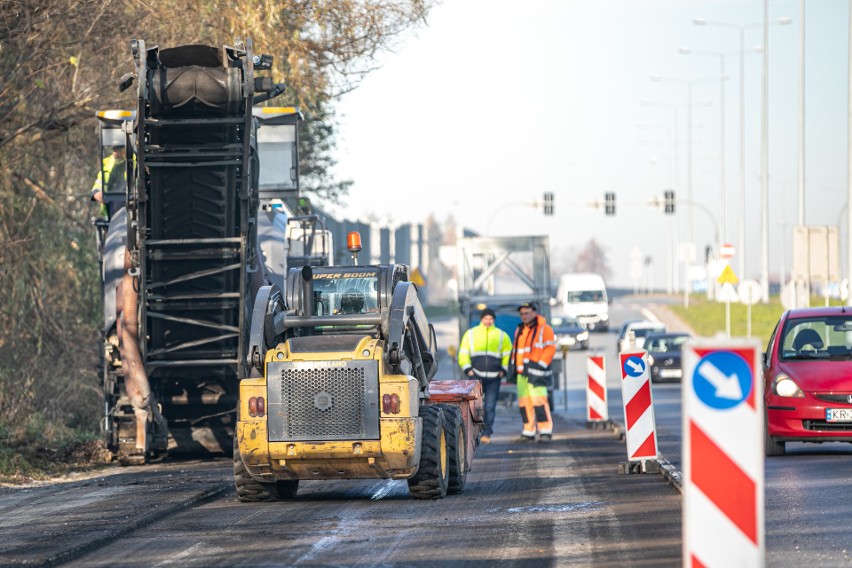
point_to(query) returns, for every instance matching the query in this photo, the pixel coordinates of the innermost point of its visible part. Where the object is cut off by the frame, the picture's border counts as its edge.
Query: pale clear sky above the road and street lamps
(495, 102)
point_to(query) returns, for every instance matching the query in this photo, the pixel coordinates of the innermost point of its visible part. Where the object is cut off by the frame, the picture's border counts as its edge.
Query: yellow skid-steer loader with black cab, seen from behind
(342, 388)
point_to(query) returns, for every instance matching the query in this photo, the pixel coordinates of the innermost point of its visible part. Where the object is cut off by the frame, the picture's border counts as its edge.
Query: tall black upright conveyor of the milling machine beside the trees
(175, 334)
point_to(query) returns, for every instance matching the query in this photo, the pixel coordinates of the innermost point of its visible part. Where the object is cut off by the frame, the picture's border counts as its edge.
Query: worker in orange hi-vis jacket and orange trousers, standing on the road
(532, 352)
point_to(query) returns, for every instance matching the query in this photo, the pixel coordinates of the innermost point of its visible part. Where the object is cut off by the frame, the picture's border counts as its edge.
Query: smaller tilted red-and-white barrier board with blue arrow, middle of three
(641, 435)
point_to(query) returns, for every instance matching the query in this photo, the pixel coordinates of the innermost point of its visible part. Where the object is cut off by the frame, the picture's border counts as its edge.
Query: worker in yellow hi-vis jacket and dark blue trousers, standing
(484, 355)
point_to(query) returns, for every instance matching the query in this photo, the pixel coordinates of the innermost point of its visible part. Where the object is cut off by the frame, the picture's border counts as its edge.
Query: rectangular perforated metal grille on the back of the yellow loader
(323, 400)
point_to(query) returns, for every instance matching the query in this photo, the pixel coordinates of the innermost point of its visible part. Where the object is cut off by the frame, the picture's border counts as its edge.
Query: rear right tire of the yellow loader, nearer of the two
(432, 477)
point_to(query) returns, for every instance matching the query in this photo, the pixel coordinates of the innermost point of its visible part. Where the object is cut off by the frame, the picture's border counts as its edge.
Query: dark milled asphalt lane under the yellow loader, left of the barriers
(526, 504)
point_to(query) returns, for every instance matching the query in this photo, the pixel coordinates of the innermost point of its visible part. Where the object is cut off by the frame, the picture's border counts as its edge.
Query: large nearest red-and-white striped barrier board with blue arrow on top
(723, 426)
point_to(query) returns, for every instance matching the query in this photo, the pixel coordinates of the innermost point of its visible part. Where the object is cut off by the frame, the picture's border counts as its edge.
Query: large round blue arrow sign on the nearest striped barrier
(722, 380)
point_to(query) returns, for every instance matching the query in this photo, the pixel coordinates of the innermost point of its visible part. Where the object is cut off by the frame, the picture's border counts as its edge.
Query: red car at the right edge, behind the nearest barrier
(807, 378)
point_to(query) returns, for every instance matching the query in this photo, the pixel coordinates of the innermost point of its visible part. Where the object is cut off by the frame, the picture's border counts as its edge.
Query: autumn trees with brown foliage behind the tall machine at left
(59, 63)
